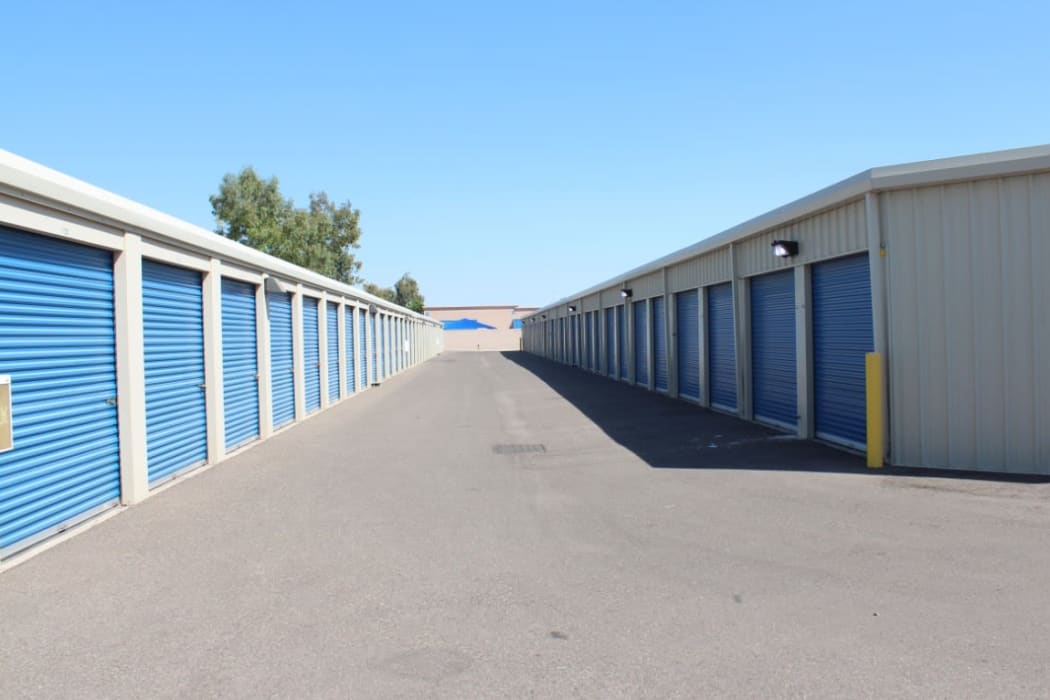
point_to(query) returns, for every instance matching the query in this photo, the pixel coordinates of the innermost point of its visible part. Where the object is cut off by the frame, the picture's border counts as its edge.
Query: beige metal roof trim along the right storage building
(996, 164)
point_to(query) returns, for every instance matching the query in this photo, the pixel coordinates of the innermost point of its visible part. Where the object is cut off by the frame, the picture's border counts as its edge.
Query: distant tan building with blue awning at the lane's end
(481, 328)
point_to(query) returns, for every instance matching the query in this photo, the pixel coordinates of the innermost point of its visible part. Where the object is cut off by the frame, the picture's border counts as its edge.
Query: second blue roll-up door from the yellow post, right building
(773, 358)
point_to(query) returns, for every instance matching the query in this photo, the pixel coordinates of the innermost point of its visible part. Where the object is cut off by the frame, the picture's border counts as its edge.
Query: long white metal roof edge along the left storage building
(56, 190)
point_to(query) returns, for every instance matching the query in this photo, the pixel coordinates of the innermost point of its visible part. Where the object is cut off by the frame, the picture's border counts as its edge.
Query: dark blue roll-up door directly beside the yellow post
(843, 334)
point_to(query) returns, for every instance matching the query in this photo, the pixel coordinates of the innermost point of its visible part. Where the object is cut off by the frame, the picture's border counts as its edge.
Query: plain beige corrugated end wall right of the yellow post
(970, 330)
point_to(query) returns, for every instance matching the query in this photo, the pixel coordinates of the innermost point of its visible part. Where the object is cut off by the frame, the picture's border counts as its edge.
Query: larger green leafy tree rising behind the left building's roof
(321, 238)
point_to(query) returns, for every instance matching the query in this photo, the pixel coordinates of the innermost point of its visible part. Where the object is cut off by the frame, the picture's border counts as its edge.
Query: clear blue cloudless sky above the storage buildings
(517, 153)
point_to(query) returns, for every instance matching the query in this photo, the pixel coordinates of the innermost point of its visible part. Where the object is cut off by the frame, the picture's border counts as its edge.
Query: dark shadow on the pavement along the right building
(669, 434)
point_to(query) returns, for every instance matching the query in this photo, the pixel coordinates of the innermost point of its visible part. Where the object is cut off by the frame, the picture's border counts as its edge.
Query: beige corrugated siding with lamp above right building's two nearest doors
(834, 234)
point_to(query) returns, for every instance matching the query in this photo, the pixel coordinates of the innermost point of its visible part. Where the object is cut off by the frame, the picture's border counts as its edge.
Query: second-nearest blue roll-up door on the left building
(177, 433)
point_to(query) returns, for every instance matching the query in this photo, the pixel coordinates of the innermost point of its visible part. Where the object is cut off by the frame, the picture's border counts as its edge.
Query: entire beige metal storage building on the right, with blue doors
(938, 267)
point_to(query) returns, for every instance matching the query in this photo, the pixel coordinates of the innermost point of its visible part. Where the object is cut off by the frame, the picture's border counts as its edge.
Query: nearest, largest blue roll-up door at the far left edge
(57, 344)
